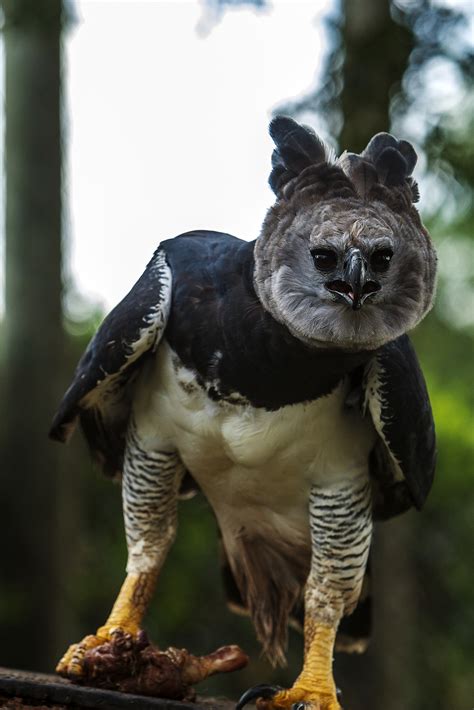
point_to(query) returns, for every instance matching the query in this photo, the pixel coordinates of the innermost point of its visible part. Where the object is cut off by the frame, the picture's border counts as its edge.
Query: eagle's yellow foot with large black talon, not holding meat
(270, 697)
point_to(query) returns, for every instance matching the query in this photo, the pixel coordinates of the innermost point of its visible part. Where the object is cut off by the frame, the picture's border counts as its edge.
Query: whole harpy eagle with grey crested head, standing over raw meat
(278, 375)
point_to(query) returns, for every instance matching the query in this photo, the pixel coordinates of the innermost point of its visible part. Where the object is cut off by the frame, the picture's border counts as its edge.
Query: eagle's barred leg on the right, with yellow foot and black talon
(341, 527)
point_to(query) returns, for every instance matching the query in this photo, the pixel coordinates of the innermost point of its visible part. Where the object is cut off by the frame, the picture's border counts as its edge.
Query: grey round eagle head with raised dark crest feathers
(343, 259)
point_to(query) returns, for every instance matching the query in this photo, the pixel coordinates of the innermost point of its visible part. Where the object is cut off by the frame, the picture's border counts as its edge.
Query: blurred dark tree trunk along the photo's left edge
(33, 346)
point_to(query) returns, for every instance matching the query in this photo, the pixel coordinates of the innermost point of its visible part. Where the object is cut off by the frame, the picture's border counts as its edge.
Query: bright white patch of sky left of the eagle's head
(168, 128)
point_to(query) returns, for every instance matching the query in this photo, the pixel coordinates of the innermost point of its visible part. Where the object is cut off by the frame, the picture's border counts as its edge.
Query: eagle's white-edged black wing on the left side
(100, 393)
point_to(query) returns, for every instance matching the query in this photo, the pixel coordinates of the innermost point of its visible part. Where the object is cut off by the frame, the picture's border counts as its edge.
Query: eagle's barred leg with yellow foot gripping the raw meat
(150, 487)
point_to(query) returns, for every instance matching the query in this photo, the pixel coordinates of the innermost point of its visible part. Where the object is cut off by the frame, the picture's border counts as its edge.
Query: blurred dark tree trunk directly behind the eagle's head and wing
(376, 53)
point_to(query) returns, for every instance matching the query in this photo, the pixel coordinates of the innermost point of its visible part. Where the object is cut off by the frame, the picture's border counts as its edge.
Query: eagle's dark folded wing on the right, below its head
(403, 461)
